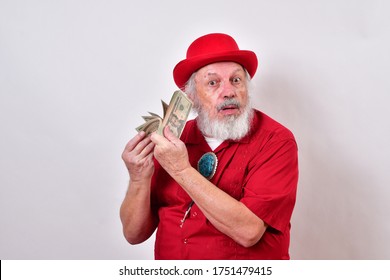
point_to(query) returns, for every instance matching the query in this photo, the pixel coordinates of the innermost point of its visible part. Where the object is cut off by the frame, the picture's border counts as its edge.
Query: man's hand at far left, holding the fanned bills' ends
(138, 157)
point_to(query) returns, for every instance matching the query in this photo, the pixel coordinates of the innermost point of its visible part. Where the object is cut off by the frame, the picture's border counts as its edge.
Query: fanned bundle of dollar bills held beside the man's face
(175, 116)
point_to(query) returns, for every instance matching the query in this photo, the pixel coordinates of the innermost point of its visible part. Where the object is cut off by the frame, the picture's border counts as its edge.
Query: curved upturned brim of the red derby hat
(185, 68)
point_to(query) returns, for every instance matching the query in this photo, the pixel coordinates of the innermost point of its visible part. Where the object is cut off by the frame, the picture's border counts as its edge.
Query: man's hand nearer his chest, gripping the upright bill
(170, 152)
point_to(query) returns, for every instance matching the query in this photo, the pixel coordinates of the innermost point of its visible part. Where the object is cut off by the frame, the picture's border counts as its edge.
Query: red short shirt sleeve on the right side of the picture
(271, 185)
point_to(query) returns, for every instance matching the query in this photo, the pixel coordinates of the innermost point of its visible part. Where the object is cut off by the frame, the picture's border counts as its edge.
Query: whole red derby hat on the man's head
(210, 48)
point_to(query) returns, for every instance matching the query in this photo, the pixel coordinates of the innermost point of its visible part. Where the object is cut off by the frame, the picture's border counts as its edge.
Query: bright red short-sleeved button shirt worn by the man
(260, 170)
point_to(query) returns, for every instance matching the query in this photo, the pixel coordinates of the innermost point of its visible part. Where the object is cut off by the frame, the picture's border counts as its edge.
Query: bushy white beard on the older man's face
(230, 127)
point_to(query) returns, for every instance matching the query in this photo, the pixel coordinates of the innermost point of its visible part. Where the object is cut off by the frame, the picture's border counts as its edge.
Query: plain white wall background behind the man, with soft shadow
(75, 77)
